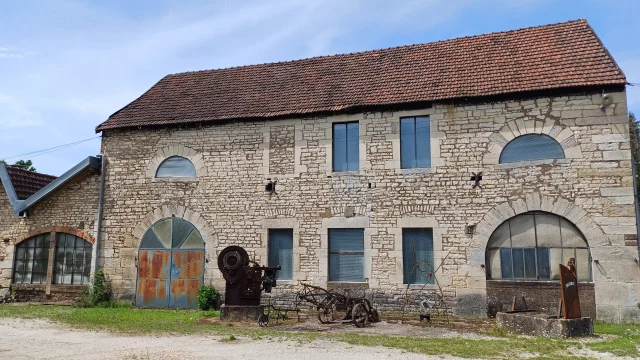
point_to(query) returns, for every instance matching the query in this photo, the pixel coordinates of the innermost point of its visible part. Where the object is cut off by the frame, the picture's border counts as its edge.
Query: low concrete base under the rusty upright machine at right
(539, 324)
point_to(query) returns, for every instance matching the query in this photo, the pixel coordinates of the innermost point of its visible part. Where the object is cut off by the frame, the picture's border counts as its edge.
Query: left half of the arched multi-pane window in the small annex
(31, 260)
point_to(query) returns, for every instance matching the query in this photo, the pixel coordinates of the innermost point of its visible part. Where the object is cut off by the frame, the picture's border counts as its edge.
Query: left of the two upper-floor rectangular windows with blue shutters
(346, 148)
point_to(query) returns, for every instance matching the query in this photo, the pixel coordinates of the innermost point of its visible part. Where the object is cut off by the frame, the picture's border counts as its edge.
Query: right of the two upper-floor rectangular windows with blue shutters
(415, 142)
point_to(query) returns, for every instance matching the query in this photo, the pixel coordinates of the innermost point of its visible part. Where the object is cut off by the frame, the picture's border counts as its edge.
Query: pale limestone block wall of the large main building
(592, 187)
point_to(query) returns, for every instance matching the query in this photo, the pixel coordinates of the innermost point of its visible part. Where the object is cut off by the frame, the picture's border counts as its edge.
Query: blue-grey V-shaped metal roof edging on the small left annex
(20, 206)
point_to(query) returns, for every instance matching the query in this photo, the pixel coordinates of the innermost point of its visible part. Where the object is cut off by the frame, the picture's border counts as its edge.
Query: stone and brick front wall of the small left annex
(71, 209)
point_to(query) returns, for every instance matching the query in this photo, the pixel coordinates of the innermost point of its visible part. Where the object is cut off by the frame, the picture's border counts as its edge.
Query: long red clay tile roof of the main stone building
(565, 55)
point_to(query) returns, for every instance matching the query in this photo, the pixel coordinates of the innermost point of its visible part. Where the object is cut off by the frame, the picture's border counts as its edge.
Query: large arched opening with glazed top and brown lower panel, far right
(522, 258)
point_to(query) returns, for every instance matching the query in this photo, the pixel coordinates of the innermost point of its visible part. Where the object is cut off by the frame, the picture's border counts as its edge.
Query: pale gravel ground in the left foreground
(40, 339)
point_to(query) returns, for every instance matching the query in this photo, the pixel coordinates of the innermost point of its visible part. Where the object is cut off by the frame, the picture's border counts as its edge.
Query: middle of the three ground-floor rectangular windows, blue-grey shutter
(346, 255)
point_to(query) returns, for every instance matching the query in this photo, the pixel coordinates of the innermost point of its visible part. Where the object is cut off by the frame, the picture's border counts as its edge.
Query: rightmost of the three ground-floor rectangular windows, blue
(417, 255)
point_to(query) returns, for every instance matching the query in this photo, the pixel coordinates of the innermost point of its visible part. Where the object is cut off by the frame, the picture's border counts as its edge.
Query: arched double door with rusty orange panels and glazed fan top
(171, 265)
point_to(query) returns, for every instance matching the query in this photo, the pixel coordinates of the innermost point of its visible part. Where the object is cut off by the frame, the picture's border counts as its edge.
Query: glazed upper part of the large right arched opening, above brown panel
(530, 247)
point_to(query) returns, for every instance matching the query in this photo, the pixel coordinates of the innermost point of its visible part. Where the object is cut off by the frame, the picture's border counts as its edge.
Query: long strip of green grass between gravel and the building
(128, 320)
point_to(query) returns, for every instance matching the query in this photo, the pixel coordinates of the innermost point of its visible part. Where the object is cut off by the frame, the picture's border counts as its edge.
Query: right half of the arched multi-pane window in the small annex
(73, 260)
